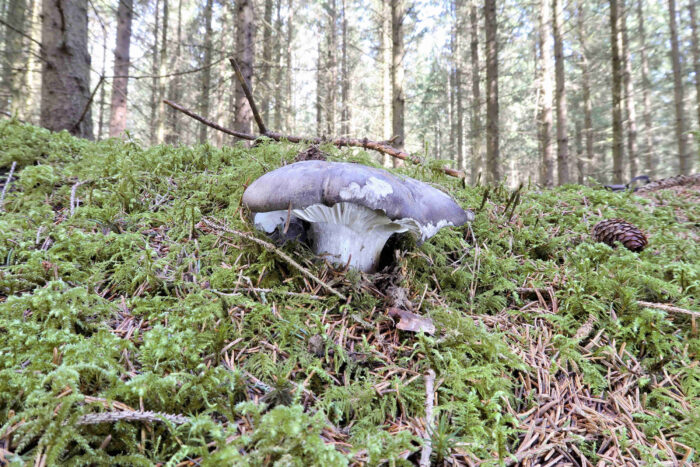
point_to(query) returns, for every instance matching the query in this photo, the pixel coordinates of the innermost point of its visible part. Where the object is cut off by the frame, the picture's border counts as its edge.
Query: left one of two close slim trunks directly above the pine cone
(616, 92)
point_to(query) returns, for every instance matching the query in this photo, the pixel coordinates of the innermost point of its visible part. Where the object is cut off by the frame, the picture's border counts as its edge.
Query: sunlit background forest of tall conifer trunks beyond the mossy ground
(546, 91)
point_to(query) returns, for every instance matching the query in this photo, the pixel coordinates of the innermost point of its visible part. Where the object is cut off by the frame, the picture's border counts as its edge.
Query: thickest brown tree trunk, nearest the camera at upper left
(65, 83)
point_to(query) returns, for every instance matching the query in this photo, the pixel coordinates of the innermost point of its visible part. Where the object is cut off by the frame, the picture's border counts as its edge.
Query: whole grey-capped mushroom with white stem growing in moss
(351, 209)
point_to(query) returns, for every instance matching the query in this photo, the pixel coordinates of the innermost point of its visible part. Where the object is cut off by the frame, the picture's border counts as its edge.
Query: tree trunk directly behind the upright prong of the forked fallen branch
(245, 50)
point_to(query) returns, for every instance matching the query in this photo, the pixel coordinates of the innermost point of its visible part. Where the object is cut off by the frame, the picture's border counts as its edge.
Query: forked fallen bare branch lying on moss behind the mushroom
(378, 146)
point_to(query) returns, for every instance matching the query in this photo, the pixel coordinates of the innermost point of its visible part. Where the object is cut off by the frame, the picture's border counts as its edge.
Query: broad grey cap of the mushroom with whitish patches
(319, 182)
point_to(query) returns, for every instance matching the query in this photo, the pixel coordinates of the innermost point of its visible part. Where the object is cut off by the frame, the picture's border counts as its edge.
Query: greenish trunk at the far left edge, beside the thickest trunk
(13, 70)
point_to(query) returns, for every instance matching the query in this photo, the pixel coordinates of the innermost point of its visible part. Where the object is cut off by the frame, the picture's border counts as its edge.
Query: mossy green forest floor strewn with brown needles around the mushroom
(140, 324)
